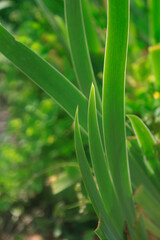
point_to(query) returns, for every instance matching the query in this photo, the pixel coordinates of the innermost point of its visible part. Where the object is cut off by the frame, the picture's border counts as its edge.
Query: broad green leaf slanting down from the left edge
(45, 76)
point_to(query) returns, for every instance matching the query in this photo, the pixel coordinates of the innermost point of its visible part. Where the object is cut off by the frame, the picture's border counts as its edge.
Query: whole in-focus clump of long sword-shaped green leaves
(102, 119)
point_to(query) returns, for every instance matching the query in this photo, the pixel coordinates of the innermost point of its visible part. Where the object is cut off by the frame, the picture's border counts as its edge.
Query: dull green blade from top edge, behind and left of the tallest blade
(79, 48)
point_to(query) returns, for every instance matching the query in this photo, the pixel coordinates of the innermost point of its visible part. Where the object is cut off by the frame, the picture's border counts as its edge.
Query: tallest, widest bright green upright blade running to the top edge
(113, 108)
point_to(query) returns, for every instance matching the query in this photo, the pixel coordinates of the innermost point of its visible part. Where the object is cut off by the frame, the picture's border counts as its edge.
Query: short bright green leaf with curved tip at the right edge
(147, 143)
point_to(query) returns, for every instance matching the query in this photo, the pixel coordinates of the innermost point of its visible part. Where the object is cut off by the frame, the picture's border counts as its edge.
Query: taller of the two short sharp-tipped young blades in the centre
(101, 169)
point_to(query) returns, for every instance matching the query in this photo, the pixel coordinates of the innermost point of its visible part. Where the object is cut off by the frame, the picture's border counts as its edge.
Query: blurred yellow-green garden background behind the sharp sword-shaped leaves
(41, 193)
